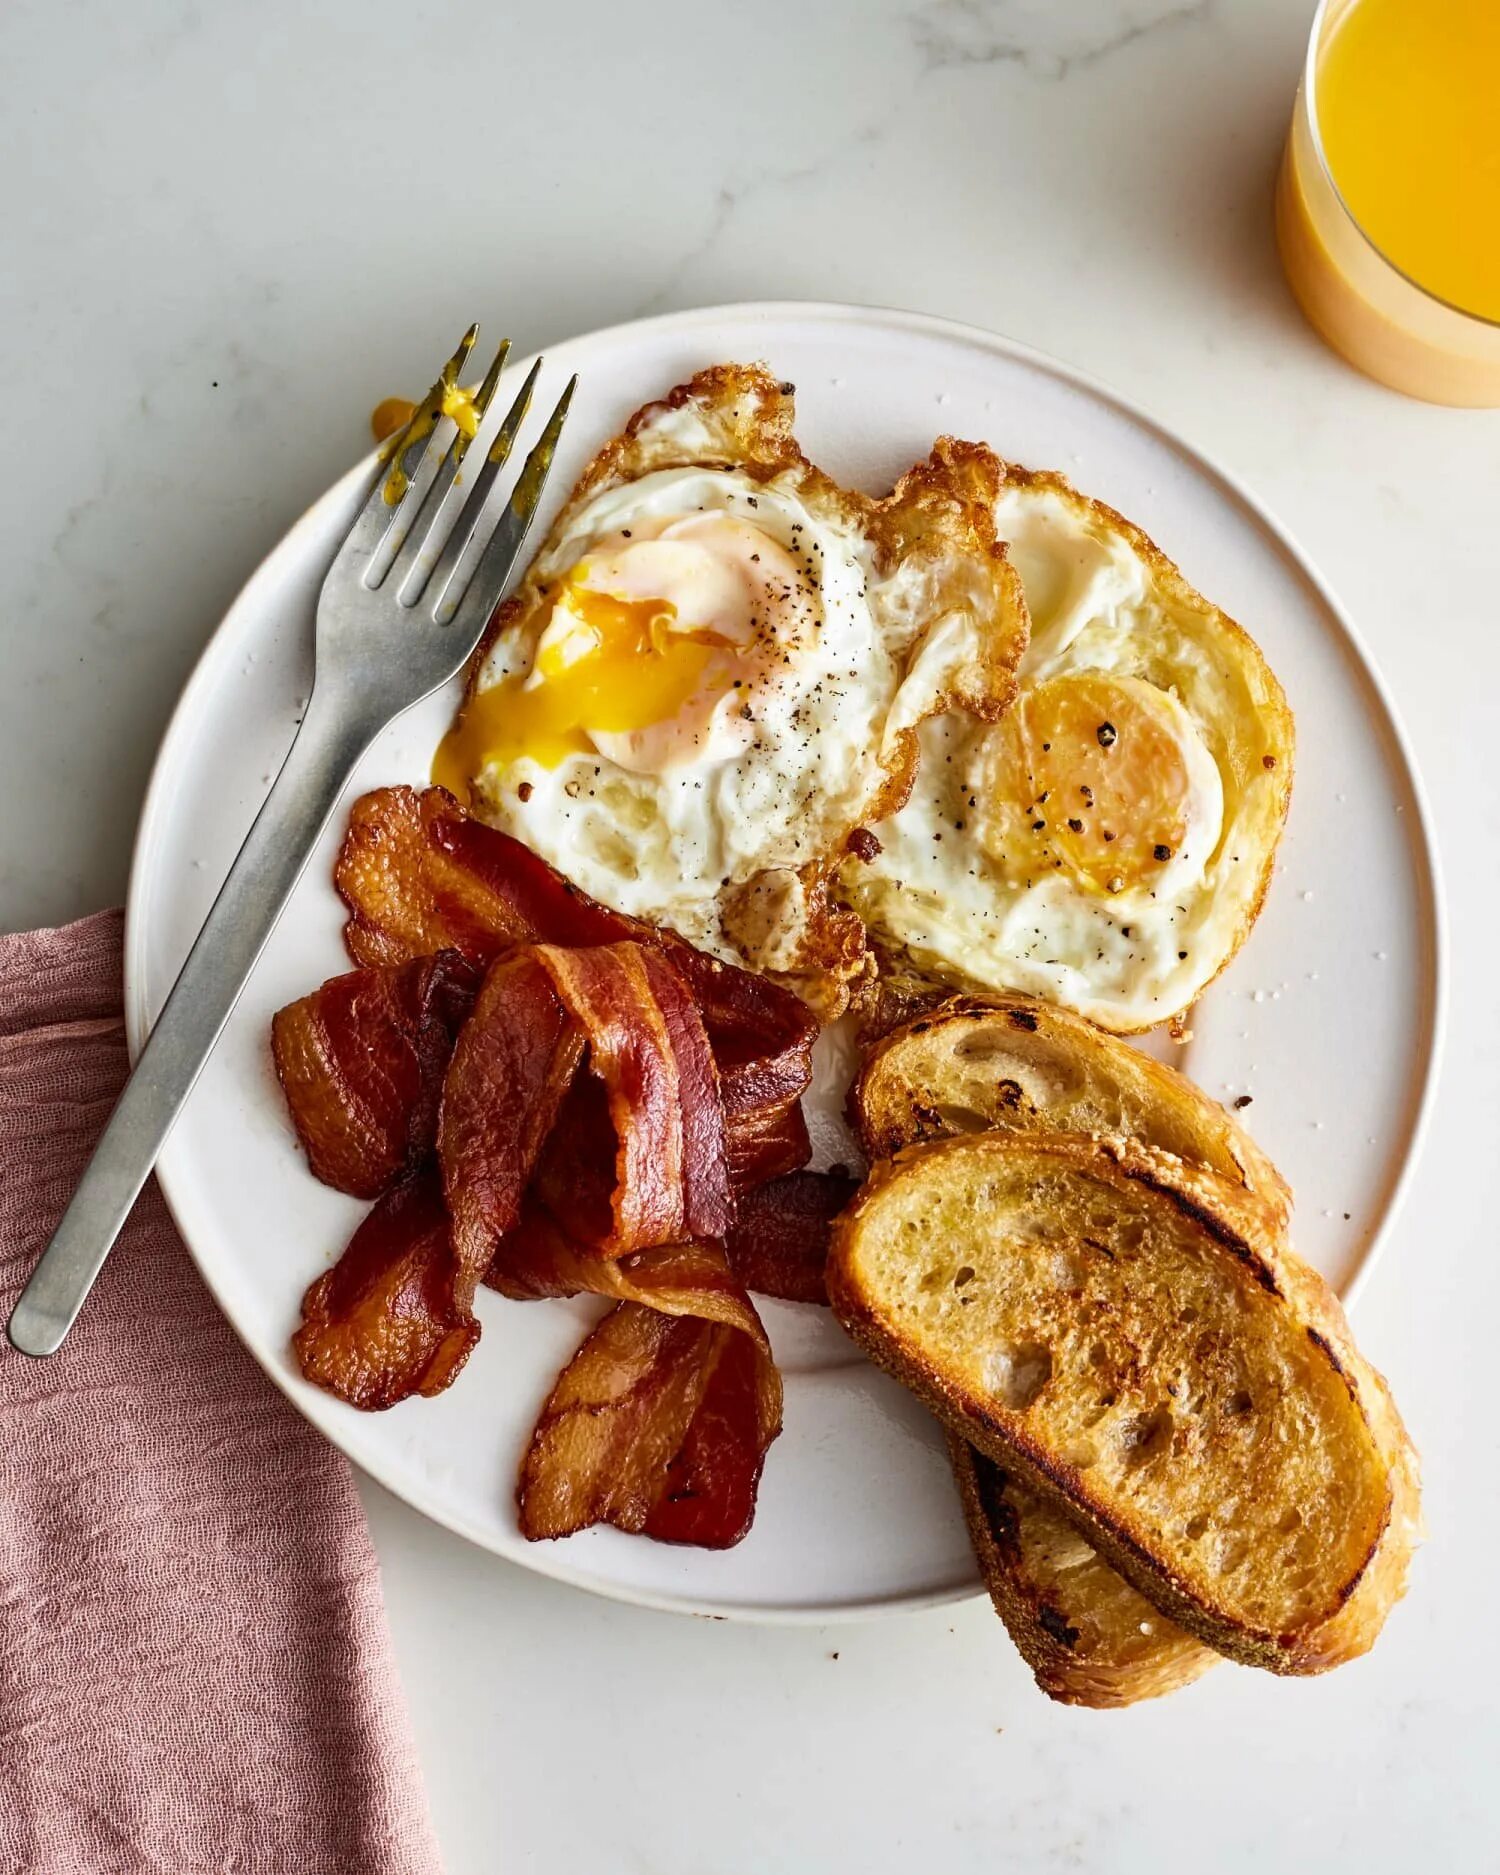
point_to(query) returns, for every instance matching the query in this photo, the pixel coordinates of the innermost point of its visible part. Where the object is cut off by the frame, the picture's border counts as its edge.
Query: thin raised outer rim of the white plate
(828, 312)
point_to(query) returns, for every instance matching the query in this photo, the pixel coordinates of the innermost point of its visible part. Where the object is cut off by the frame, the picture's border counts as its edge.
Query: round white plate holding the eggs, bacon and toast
(1328, 1019)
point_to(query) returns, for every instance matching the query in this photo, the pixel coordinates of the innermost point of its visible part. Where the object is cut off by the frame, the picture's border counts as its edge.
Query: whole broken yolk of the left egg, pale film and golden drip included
(652, 653)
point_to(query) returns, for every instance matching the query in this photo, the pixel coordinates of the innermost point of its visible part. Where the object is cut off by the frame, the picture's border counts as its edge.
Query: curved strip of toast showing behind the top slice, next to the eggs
(1012, 1062)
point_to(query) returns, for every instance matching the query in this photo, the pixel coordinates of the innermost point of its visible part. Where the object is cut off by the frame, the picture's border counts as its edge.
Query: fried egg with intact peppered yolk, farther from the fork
(1109, 843)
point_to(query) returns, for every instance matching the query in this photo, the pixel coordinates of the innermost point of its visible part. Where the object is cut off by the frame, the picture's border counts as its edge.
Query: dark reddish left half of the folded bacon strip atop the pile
(507, 1081)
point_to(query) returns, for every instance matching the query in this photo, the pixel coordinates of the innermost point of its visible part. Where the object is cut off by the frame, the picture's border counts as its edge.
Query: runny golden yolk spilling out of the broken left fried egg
(616, 667)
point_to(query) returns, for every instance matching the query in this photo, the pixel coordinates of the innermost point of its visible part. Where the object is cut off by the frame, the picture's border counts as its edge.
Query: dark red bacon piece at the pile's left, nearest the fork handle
(363, 1064)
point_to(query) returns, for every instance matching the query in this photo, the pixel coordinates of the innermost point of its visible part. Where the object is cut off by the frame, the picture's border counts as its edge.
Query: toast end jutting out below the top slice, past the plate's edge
(1085, 1632)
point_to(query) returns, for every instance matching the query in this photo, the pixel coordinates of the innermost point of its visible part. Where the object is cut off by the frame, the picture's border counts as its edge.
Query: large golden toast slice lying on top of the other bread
(1128, 1336)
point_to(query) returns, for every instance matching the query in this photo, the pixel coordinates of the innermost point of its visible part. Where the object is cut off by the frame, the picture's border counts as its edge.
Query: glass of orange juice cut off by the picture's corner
(1388, 205)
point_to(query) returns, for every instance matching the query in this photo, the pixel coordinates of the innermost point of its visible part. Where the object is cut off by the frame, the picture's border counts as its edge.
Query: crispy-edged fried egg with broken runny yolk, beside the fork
(715, 670)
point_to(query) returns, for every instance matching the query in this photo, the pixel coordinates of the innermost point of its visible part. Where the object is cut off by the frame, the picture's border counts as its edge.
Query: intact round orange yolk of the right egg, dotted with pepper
(1103, 779)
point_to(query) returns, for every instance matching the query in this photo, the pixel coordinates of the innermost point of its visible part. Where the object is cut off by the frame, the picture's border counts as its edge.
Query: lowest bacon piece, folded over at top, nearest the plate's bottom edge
(663, 1418)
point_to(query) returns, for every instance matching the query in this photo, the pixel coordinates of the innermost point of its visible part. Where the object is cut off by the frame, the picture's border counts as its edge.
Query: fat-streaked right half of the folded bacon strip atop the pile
(650, 1051)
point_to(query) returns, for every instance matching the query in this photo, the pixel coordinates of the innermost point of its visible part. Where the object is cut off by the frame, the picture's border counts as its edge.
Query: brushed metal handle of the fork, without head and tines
(243, 918)
